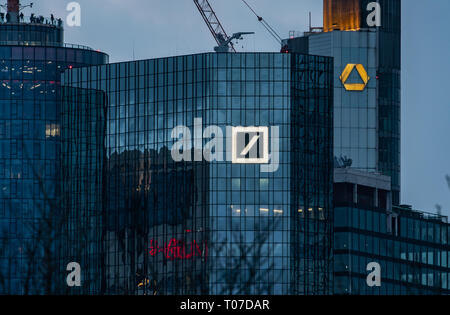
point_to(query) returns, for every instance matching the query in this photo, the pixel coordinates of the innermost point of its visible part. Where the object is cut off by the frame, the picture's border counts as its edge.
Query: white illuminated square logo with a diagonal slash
(250, 145)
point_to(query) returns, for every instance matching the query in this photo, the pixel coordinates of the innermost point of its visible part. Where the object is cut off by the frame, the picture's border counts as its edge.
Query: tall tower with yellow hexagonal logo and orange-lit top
(367, 63)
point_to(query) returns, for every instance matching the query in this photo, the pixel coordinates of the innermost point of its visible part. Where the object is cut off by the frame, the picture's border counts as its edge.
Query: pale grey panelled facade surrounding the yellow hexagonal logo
(355, 112)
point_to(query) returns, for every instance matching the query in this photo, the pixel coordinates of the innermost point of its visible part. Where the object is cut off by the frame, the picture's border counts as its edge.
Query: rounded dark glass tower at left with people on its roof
(32, 57)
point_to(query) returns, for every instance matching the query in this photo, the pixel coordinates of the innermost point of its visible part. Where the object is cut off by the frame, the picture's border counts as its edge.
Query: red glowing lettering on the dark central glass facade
(178, 249)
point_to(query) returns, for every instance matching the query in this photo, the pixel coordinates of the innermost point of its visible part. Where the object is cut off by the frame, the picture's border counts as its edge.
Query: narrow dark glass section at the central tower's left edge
(83, 151)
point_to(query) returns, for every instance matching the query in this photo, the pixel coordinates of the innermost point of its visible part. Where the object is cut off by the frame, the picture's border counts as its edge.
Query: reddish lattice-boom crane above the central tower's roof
(224, 42)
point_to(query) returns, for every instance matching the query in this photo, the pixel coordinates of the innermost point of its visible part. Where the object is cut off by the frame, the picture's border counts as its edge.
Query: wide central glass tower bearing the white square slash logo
(244, 222)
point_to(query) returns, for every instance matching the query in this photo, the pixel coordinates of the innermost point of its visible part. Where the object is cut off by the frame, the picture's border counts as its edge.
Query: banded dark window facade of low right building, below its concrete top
(414, 260)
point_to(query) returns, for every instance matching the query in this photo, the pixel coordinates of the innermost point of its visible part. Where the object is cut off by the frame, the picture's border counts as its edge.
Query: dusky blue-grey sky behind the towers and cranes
(143, 29)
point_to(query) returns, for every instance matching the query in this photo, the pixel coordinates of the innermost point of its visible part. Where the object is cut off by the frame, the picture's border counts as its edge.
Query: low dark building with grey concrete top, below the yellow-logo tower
(412, 247)
